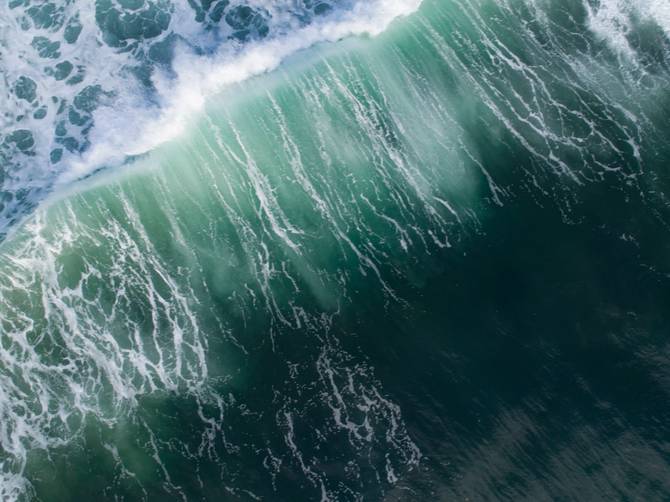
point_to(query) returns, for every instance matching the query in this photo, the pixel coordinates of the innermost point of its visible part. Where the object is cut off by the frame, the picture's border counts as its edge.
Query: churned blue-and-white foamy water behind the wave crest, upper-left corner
(85, 91)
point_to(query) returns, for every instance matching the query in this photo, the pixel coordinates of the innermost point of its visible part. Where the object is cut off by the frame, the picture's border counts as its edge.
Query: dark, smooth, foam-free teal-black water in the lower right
(540, 355)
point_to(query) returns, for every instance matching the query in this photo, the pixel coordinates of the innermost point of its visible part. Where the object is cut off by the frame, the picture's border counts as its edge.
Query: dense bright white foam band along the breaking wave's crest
(127, 131)
